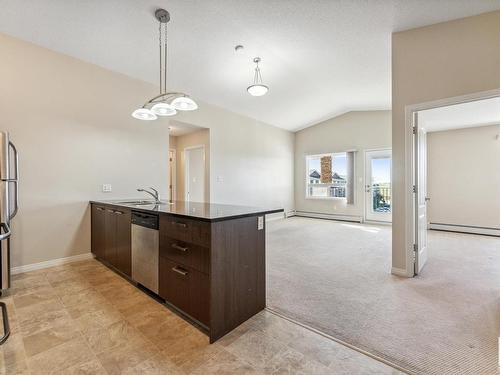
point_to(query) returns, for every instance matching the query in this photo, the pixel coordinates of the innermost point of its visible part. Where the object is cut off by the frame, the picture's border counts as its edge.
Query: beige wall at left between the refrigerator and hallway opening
(72, 126)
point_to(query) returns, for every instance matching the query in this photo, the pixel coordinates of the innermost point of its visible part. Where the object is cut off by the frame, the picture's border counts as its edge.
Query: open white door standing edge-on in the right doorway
(420, 196)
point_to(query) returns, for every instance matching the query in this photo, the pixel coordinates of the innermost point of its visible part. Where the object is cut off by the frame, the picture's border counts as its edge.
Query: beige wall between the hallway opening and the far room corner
(251, 163)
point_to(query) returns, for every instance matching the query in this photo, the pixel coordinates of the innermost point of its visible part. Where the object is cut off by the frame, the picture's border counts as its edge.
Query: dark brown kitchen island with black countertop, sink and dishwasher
(210, 262)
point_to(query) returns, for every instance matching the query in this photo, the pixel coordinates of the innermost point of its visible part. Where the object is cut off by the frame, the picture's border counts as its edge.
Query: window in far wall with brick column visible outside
(328, 175)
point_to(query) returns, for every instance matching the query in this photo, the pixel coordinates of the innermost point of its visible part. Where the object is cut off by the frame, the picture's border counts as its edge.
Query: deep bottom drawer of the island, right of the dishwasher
(186, 289)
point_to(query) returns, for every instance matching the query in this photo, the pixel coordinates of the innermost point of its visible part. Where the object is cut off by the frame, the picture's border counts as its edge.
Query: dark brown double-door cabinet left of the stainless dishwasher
(111, 237)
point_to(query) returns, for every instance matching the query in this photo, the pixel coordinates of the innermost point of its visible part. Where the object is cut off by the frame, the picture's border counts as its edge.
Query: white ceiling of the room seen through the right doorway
(459, 116)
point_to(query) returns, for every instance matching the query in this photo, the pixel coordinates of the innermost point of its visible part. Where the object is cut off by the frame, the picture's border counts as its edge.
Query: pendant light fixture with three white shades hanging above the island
(167, 103)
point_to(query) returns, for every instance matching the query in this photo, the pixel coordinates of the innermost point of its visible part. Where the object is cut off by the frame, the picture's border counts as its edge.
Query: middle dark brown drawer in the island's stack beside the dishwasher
(188, 254)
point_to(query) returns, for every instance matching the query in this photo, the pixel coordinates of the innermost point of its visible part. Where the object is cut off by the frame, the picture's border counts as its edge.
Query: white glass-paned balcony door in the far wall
(378, 189)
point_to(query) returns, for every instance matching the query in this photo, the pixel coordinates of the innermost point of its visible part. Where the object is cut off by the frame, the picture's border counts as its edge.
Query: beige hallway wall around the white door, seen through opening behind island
(197, 138)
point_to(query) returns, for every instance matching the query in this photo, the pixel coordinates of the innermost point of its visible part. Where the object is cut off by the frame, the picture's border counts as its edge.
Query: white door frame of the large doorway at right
(410, 170)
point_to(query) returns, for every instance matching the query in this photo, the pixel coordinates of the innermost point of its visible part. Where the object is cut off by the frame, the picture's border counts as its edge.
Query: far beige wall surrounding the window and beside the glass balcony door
(354, 130)
